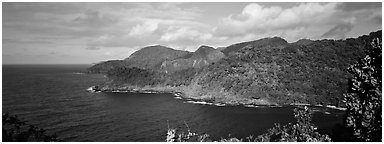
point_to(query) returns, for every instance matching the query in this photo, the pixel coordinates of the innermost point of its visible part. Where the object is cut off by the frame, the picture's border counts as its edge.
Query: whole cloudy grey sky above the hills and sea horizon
(85, 33)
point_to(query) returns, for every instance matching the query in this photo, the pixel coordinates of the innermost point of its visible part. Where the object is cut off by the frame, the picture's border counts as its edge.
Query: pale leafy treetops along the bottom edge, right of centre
(302, 131)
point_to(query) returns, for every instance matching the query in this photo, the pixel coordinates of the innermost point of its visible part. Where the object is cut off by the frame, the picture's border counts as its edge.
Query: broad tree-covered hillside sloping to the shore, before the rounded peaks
(268, 70)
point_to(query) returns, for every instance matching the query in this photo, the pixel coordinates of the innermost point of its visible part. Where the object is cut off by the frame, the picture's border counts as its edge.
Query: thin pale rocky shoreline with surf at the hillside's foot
(196, 100)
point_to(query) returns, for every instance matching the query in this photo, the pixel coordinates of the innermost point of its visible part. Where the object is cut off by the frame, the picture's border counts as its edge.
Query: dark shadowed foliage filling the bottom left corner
(15, 130)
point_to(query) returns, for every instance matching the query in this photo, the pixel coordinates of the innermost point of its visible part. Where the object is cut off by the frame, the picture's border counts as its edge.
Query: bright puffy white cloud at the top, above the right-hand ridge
(260, 19)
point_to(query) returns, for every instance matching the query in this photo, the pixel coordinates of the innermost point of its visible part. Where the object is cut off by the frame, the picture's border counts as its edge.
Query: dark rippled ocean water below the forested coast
(55, 98)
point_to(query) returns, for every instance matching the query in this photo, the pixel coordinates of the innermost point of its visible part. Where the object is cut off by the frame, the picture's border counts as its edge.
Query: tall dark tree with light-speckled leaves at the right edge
(363, 99)
